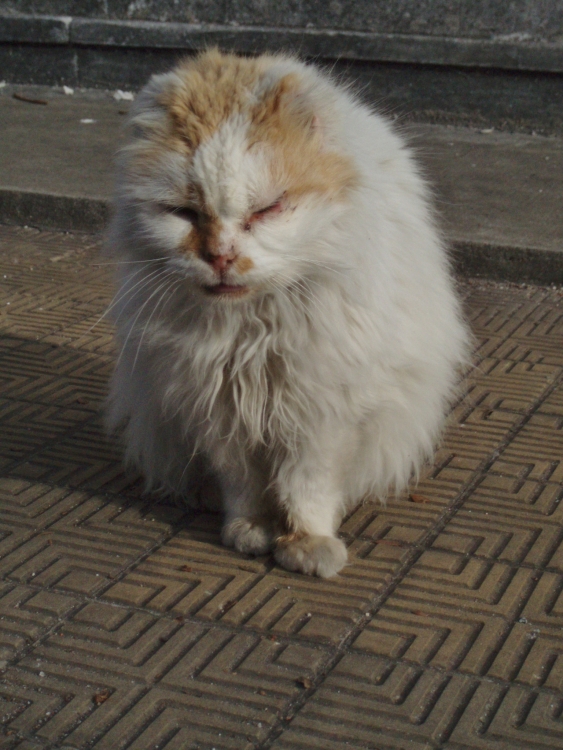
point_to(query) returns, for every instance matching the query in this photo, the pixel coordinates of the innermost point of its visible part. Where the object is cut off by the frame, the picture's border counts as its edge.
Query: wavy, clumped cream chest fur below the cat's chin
(249, 379)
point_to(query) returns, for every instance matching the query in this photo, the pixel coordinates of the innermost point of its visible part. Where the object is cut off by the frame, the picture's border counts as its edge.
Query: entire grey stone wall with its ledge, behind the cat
(467, 61)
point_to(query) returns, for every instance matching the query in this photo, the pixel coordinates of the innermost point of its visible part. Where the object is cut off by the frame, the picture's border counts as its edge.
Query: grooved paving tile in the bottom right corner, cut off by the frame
(370, 702)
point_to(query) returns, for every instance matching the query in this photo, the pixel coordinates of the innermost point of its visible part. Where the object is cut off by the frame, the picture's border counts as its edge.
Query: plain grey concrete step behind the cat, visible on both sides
(499, 195)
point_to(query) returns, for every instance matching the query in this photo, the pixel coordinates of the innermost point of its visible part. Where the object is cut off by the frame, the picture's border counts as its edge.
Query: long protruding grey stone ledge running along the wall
(513, 54)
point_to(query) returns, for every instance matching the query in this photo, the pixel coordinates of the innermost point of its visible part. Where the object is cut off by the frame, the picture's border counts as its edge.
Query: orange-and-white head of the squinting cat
(234, 173)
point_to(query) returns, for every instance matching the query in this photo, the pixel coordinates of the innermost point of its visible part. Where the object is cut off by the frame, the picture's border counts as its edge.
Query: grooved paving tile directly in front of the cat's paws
(196, 577)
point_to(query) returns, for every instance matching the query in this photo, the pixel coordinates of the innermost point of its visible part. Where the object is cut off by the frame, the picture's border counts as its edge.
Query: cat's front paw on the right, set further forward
(320, 556)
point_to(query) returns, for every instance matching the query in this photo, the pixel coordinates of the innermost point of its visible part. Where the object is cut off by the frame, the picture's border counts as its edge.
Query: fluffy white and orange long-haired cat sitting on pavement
(286, 318)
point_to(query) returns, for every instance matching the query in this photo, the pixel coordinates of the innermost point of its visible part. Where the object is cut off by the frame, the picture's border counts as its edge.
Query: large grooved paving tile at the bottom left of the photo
(129, 673)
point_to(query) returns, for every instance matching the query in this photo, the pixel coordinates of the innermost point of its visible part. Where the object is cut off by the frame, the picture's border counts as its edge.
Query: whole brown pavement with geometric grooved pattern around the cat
(125, 624)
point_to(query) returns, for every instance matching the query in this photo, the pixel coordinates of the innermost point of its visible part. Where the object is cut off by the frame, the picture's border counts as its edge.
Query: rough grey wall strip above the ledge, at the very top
(529, 19)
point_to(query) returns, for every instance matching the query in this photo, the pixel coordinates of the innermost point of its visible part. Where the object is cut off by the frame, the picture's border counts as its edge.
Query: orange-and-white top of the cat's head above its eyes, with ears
(235, 108)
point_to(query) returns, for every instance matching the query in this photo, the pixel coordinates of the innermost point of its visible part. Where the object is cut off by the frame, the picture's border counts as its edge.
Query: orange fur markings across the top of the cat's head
(215, 86)
